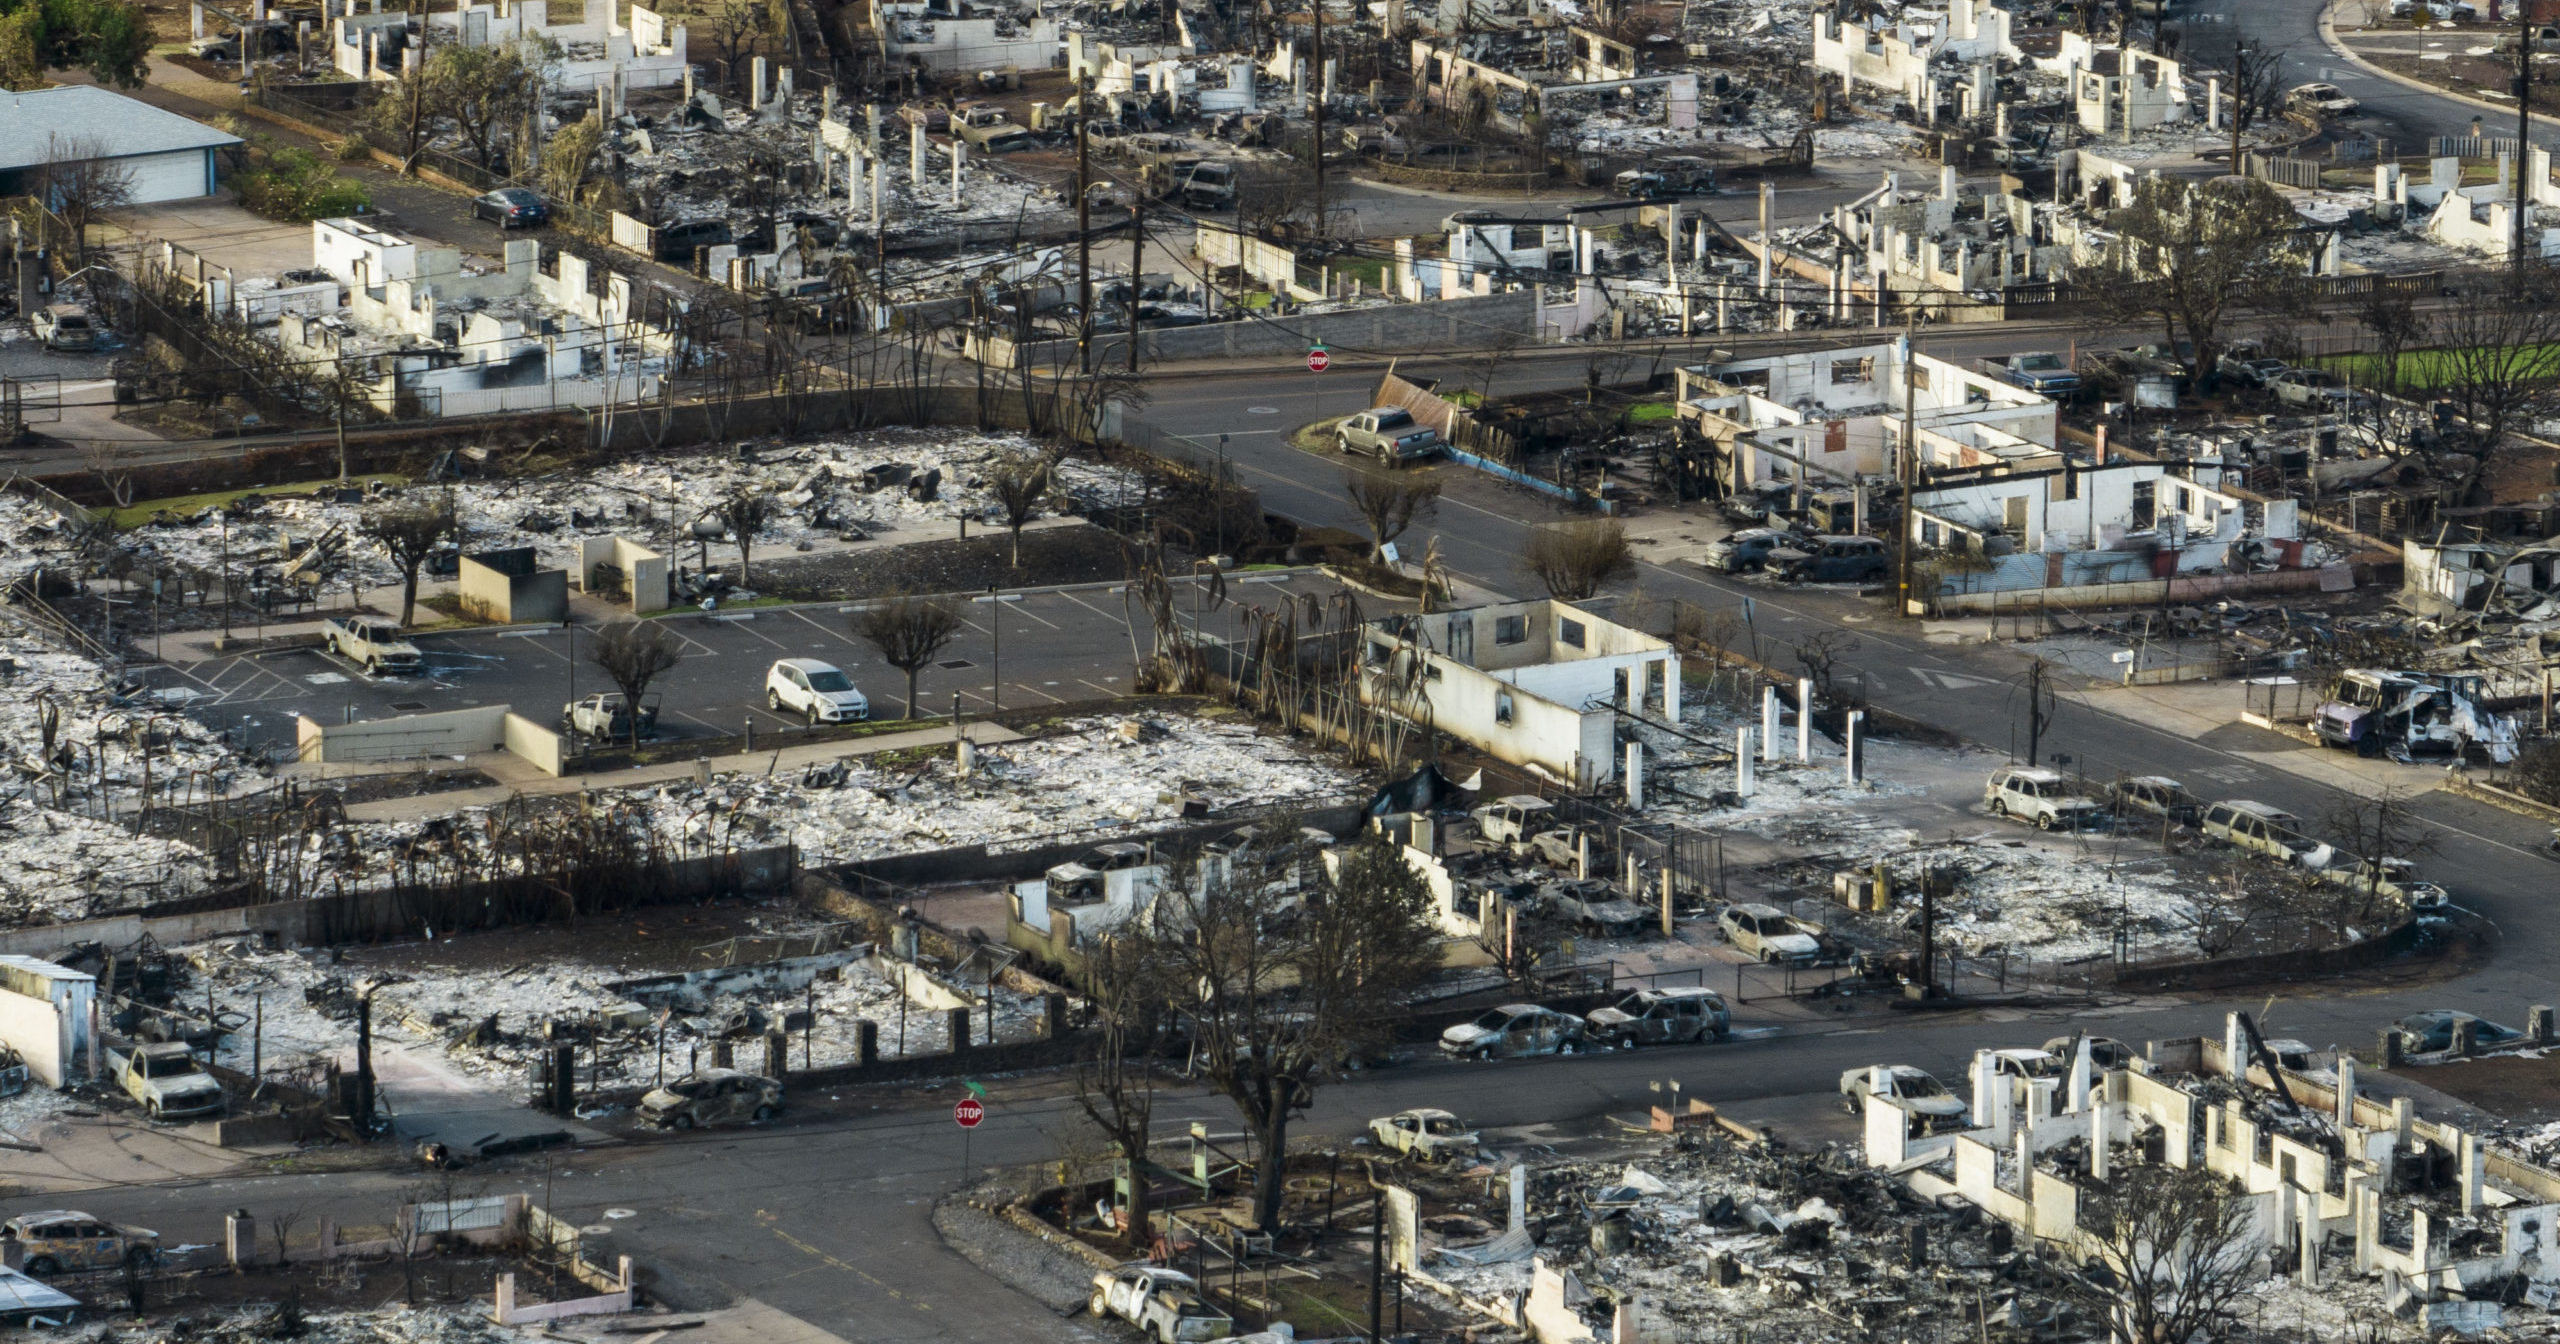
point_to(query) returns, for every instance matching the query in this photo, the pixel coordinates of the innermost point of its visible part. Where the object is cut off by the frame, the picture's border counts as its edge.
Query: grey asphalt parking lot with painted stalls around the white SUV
(1053, 646)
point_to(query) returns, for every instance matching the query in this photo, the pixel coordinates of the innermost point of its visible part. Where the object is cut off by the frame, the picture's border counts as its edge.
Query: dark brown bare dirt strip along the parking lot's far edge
(946, 567)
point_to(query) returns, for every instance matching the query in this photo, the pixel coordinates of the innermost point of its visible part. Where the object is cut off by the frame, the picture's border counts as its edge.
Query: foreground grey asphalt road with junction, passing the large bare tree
(828, 1215)
